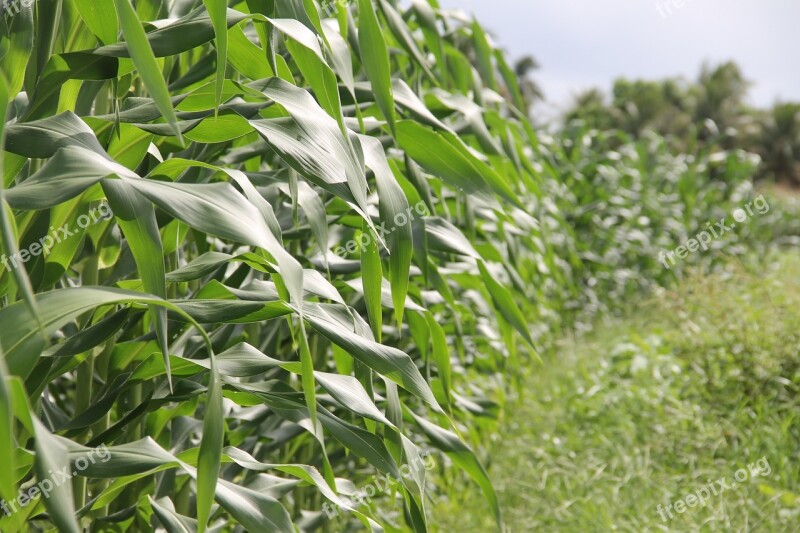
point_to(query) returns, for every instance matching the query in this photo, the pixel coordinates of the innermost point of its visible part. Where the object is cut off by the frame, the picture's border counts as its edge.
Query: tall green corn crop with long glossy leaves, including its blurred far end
(258, 253)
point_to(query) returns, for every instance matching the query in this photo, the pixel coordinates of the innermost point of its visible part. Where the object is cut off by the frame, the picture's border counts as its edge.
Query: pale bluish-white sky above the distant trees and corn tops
(588, 43)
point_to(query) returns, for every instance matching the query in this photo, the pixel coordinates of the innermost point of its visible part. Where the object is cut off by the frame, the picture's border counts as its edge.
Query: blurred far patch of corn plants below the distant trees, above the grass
(628, 201)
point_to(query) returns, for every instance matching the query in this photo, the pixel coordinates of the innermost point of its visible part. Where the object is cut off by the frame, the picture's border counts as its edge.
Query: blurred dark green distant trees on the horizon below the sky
(710, 109)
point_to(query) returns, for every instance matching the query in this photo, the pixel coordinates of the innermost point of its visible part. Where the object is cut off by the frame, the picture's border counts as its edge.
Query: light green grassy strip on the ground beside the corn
(699, 382)
